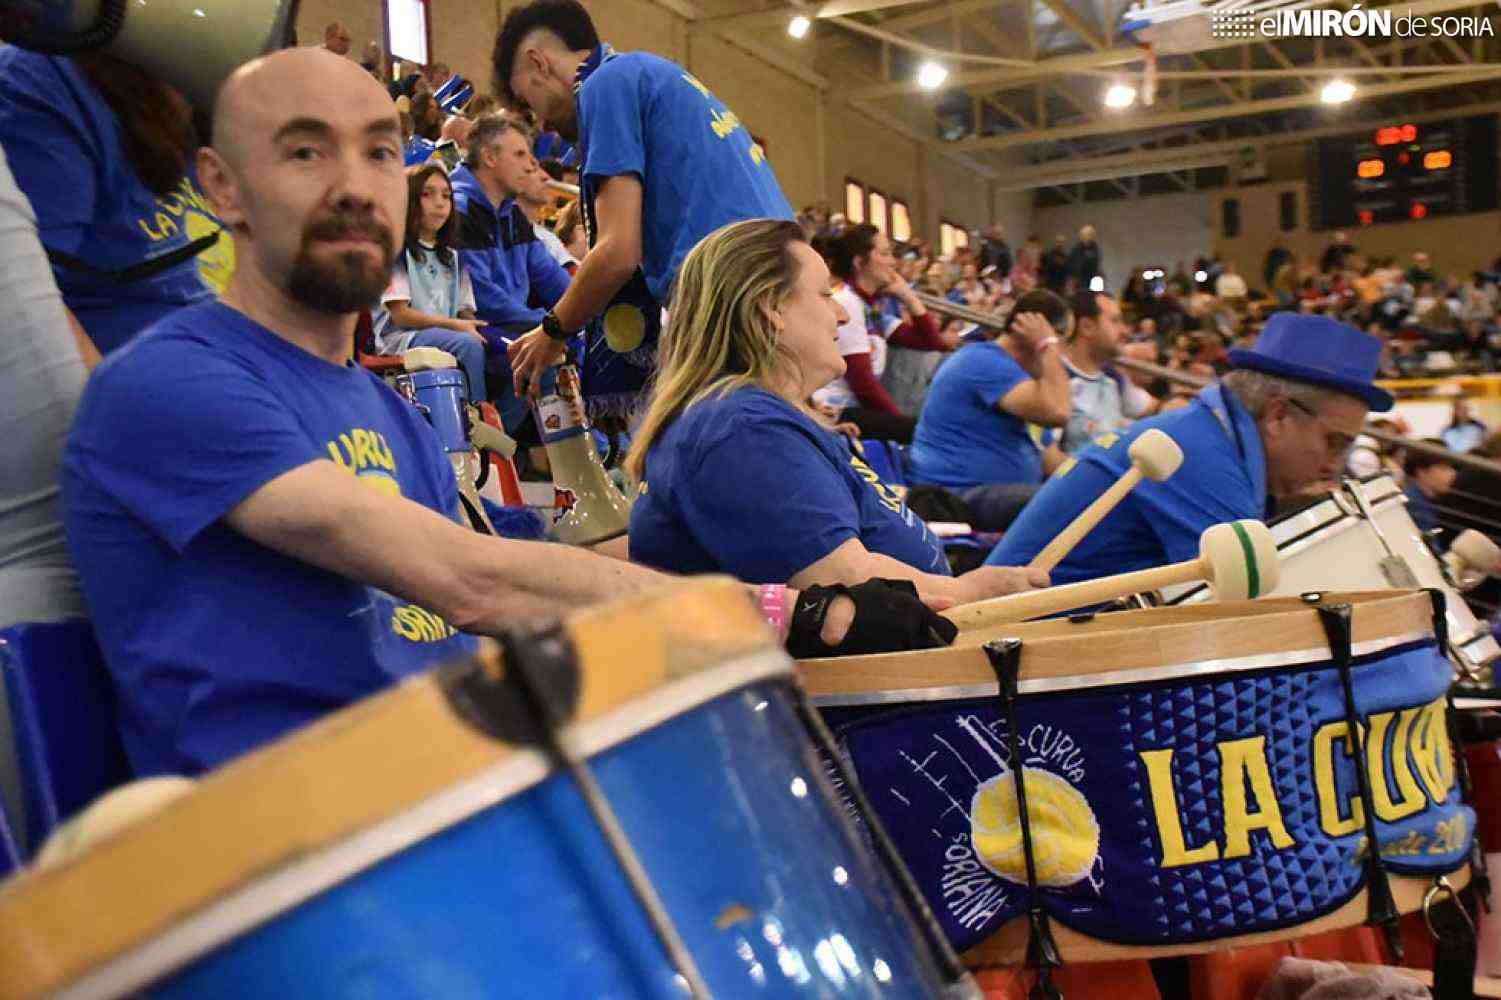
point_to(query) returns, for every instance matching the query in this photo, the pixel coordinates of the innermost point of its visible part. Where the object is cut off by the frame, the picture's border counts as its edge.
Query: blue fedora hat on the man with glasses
(1322, 352)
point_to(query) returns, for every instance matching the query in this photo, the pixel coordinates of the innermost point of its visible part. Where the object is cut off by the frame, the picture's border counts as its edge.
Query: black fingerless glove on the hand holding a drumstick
(888, 618)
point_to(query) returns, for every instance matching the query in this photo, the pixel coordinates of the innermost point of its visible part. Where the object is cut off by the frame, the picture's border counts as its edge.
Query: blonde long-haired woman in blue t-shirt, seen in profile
(736, 477)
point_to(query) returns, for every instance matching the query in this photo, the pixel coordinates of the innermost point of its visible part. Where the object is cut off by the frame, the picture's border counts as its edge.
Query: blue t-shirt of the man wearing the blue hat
(1224, 478)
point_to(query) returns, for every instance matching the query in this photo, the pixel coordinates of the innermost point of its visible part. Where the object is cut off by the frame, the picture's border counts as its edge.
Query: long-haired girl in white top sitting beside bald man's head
(430, 301)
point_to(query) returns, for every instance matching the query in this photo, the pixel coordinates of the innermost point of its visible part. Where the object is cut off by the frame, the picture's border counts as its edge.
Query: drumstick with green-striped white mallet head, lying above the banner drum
(1238, 559)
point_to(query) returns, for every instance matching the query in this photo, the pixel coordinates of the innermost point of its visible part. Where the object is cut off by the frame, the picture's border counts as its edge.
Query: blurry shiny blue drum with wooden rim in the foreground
(396, 851)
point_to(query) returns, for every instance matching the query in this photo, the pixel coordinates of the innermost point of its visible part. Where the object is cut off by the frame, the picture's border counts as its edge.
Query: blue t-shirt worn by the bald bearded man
(215, 643)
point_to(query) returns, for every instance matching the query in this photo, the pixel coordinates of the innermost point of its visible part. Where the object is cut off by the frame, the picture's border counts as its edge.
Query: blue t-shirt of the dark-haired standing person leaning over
(699, 166)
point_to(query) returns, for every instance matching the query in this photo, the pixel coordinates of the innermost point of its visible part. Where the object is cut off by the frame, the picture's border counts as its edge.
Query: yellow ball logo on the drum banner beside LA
(1066, 837)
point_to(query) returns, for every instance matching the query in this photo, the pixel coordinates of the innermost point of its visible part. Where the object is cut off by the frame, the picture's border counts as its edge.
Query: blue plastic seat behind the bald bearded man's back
(62, 711)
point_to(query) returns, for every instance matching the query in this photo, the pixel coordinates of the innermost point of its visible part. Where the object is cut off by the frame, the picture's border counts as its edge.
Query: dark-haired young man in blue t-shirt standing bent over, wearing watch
(664, 164)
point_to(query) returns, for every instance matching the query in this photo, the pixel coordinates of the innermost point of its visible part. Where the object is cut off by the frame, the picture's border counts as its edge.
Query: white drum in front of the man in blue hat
(1332, 546)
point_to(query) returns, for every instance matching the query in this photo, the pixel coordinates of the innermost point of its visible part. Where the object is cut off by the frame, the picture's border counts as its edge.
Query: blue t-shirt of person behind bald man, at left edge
(67, 149)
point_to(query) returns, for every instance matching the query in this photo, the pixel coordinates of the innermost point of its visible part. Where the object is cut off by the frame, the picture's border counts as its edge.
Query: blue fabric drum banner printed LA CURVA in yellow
(1172, 812)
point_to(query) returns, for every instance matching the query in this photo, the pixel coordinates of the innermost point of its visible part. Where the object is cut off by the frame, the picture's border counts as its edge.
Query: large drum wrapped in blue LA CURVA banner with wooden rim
(1188, 776)
